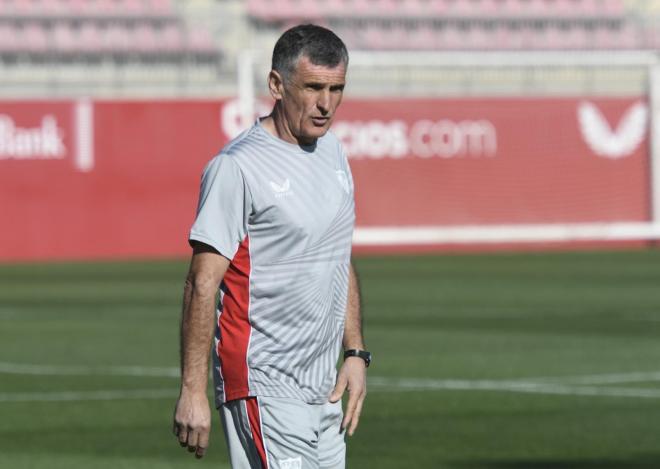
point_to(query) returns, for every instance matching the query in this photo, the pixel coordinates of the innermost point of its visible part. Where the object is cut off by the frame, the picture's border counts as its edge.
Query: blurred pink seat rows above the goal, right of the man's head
(470, 24)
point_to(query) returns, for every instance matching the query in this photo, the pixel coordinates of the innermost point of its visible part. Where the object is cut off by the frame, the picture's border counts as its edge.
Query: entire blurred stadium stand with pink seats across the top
(142, 48)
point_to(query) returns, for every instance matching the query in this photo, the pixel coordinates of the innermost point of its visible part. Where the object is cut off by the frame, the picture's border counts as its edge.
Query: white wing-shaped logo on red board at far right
(613, 143)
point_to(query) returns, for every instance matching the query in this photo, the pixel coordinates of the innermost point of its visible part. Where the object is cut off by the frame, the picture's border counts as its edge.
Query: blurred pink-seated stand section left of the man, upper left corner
(107, 47)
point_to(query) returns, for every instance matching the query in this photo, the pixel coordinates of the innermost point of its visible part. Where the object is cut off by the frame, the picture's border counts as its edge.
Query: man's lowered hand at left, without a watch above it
(192, 421)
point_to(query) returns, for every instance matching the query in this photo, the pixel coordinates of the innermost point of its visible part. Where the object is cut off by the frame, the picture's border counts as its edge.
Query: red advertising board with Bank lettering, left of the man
(138, 197)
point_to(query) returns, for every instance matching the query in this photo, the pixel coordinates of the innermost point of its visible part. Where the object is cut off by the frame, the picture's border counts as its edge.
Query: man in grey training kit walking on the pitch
(273, 229)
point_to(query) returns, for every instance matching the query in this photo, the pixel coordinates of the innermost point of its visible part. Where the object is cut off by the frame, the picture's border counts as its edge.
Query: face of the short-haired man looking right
(309, 98)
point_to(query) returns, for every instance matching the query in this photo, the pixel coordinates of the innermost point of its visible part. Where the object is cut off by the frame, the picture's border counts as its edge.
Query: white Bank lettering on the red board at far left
(43, 142)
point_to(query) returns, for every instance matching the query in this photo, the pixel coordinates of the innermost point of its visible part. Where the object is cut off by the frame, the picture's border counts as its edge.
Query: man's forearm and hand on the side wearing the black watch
(353, 372)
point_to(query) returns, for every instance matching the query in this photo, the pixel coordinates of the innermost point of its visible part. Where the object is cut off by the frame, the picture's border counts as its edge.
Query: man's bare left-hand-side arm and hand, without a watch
(192, 416)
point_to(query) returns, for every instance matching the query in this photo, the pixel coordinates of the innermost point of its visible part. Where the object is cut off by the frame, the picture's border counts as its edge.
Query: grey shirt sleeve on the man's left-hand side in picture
(224, 207)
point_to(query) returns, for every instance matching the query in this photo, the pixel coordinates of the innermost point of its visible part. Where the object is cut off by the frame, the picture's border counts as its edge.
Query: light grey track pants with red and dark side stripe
(283, 433)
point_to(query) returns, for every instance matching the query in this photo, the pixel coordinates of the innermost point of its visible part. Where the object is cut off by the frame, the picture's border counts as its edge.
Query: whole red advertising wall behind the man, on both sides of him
(106, 179)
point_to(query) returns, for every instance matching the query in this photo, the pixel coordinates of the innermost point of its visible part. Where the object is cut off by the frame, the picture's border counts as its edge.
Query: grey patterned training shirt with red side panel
(284, 215)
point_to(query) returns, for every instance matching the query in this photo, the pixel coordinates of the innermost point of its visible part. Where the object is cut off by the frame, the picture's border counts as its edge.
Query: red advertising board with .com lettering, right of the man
(497, 161)
